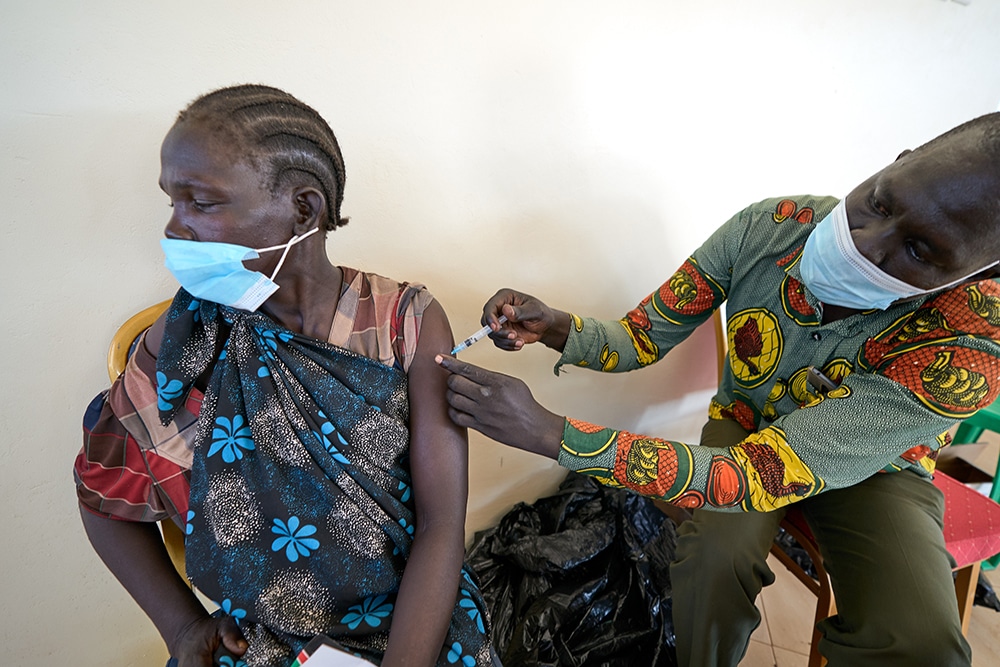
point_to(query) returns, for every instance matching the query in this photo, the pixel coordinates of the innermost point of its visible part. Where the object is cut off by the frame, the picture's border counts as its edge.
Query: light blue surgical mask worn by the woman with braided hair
(214, 271)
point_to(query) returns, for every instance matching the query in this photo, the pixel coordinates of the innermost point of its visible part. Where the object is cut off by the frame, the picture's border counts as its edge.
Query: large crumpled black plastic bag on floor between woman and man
(579, 579)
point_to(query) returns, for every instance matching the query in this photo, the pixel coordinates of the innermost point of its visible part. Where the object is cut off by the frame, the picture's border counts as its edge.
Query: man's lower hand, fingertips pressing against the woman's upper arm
(500, 407)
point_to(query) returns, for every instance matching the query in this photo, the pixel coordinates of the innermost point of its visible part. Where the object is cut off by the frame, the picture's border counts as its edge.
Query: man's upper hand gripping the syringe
(528, 321)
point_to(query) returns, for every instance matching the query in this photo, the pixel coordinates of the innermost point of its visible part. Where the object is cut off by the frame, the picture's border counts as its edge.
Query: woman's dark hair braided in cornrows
(285, 138)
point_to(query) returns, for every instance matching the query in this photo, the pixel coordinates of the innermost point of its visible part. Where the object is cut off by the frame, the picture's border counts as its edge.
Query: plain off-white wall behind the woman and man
(577, 150)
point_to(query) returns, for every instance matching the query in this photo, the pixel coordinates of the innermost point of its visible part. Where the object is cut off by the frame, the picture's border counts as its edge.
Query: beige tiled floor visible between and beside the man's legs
(782, 640)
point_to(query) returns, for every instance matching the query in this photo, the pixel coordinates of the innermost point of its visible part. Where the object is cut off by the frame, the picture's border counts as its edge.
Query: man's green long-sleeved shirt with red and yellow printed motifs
(905, 375)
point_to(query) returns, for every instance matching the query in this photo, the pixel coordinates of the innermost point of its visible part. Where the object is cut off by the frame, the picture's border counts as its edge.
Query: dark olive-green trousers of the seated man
(882, 544)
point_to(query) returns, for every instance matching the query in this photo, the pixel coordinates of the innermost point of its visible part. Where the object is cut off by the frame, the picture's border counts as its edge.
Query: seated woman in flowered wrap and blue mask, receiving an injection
(299, 436)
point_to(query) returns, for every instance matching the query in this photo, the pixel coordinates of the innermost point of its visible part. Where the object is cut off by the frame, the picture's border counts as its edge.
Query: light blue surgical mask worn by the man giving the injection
(836, 272)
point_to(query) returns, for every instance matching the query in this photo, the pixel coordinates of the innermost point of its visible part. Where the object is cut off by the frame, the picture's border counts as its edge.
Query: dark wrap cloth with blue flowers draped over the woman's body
(300, 514)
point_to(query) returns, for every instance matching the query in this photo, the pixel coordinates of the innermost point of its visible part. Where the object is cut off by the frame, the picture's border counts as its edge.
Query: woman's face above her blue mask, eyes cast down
(216, 195)
